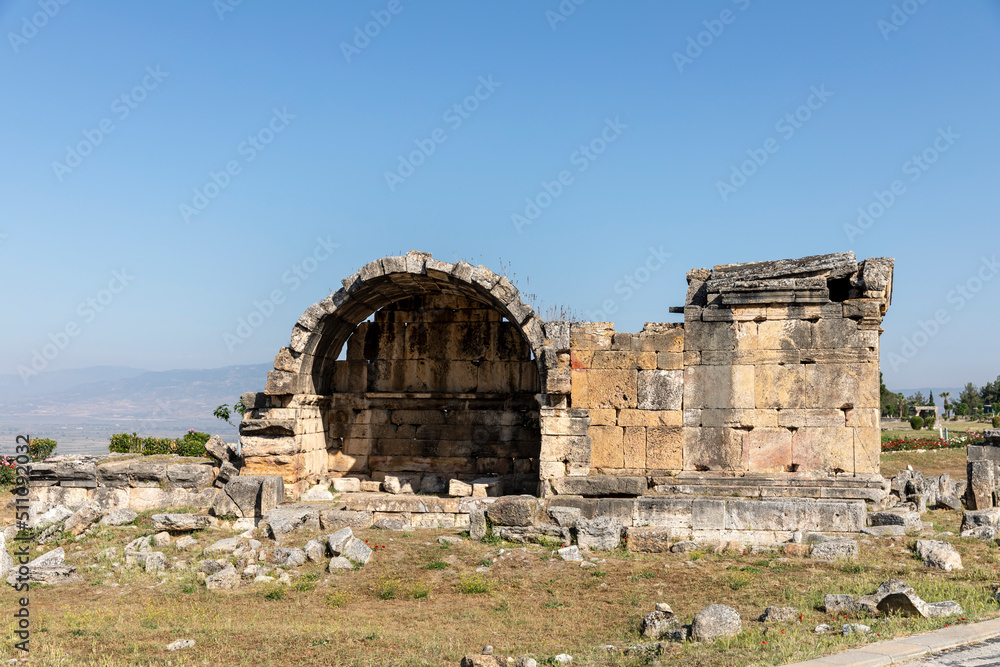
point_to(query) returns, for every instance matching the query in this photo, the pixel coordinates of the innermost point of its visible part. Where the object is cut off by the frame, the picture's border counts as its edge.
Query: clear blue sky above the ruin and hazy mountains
(166, 165)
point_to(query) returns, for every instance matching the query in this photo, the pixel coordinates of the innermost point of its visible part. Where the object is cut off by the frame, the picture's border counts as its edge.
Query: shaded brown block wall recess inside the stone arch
(438, 387)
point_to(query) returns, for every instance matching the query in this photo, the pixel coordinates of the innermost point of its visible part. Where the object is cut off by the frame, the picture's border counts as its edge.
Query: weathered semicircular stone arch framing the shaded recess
(288, 428)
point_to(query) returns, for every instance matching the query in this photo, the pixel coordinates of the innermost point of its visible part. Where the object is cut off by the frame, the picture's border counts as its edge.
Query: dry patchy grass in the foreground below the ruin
(422, 603)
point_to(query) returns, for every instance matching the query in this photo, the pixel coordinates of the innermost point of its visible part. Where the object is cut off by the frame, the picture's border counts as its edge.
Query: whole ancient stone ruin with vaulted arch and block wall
(435, 380)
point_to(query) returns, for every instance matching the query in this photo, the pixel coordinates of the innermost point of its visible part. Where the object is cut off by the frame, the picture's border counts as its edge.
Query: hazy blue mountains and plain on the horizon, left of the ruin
(81, 408)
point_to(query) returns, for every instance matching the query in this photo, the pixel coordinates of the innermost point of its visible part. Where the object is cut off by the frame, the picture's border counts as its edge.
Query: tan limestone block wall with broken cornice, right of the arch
(774, 371)
